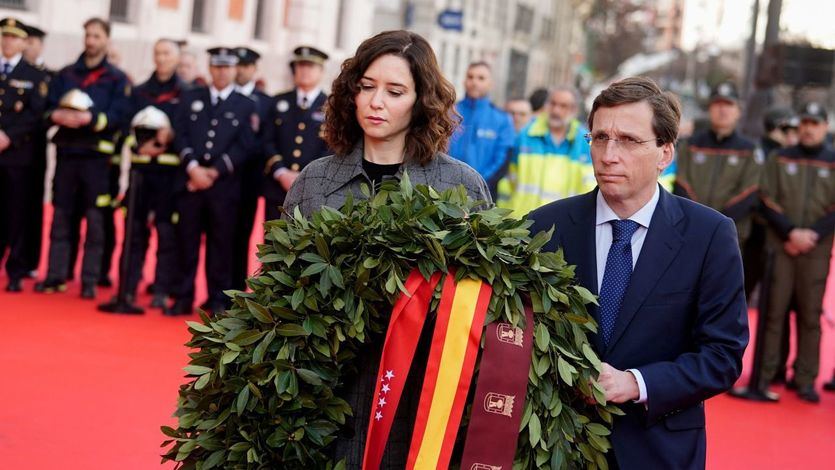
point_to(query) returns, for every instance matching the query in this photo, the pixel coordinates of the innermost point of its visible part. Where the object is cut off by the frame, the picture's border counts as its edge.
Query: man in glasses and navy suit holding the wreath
(672, 314)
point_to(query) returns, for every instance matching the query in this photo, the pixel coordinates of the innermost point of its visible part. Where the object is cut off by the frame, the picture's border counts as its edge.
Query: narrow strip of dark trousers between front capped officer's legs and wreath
(250, 189)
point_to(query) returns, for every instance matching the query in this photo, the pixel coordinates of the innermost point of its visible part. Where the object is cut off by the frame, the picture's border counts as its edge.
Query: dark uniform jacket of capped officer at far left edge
(22, 103)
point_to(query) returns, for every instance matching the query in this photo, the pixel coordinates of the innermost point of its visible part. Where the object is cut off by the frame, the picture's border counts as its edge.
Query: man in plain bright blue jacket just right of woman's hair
(484, 138)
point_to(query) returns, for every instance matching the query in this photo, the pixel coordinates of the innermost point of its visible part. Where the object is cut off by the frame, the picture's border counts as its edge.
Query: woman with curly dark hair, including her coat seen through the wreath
(391, 111)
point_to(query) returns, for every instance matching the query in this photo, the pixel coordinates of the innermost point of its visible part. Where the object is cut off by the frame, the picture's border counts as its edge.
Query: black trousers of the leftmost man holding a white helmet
(83, 177)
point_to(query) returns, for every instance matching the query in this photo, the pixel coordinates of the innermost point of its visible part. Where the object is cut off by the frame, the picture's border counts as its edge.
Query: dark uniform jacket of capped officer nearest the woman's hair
(292, 138)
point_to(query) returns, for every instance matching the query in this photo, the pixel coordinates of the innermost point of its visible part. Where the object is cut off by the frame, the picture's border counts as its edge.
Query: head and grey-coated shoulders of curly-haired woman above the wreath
(391, 110)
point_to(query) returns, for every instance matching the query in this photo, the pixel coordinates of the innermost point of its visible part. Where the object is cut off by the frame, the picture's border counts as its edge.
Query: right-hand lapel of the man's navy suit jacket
(661, 245)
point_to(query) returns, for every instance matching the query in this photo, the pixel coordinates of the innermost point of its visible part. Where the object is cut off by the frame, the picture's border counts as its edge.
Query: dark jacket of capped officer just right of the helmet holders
(218, 136)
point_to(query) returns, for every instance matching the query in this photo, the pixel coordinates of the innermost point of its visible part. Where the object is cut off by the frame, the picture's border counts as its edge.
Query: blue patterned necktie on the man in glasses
(617, 274)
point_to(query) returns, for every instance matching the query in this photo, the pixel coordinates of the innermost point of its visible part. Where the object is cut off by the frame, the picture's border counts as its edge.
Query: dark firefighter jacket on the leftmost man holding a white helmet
(110, 90)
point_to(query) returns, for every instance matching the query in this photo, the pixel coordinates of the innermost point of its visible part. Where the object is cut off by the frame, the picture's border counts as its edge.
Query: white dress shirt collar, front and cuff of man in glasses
(603, 241)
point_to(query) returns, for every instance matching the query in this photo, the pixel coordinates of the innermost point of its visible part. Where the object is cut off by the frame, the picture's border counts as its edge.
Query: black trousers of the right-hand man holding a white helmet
(155, 206)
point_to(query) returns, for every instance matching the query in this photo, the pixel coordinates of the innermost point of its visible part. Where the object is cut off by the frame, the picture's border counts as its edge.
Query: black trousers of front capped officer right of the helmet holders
(212, 212)
